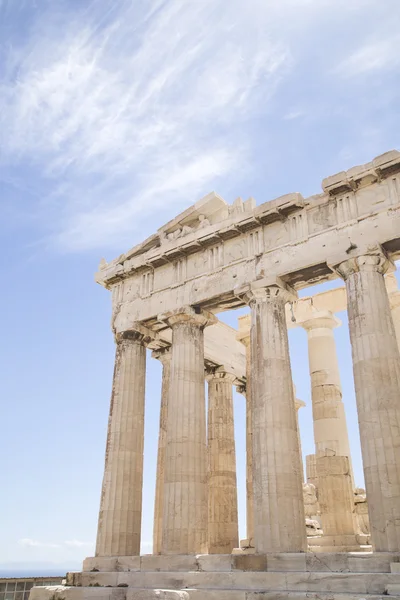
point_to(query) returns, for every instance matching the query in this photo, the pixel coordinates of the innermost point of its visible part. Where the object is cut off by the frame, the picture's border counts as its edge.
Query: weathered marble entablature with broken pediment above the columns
(193, 261)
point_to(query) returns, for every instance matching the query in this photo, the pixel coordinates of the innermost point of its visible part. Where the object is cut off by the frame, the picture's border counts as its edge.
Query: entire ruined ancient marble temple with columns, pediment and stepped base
(321, 538)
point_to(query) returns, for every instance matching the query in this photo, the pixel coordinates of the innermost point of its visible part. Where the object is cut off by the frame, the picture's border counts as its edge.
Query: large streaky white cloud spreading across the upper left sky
(126, 110)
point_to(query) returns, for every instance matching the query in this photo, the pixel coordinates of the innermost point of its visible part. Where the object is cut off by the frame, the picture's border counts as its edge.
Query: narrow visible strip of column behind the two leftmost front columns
(164, 356)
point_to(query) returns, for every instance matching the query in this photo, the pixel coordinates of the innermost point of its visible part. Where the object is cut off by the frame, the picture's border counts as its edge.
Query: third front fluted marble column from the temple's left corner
(278, 493)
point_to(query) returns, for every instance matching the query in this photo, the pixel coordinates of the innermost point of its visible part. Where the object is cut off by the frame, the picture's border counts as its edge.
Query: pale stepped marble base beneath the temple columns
(216, 577)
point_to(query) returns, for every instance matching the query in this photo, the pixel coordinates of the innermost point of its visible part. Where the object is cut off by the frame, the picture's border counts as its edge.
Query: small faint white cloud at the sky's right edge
(372, 56)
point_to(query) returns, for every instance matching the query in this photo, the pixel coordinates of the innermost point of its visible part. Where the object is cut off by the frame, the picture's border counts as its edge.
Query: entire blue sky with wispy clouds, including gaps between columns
(114, 117)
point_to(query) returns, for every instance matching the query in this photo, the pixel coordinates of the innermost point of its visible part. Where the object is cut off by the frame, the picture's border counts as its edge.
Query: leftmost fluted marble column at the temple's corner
(120, 517)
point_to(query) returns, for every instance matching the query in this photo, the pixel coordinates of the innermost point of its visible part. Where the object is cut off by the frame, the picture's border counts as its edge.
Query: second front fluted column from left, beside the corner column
(185, 476)
